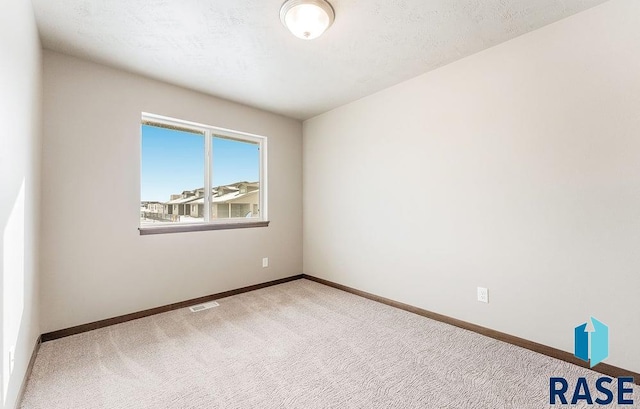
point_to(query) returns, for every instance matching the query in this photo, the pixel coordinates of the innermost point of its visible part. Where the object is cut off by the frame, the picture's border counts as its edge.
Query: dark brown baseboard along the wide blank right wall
(602, 368)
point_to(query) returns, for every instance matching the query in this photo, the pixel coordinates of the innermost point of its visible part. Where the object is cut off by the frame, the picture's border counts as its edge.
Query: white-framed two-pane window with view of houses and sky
(199, 177)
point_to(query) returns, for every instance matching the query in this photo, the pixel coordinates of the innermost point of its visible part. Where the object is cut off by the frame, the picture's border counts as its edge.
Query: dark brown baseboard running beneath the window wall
(50, 336)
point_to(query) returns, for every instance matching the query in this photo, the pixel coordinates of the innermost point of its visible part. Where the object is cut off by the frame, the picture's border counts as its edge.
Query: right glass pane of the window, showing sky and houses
(235, 179)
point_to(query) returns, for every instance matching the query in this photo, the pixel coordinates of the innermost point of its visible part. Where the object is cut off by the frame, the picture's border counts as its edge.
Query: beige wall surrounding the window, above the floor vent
(95, 265)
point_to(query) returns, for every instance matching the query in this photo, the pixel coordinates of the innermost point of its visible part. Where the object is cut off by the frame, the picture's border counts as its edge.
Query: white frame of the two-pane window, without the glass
(209, 132)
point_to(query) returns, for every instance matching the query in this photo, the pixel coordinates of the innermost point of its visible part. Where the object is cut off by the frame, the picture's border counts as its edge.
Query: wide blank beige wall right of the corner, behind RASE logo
(517, 169)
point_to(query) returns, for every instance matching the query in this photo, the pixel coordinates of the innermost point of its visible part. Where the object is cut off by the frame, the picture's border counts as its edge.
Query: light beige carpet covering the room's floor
(295, 345)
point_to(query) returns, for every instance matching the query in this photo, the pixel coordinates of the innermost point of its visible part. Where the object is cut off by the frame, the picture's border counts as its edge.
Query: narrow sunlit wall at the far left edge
(20, 101)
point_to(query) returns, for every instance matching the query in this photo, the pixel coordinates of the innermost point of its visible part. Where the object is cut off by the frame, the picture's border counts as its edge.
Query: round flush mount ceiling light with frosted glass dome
(307, 19)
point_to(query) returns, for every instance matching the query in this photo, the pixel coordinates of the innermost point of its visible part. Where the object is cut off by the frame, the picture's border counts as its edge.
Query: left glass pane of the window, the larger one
(172, 180)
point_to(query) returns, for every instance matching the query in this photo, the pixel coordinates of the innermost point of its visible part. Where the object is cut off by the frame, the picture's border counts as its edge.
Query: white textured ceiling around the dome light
(239, 50)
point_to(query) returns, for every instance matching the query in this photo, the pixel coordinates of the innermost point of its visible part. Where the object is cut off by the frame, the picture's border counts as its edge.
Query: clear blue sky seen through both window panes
(173, 161)
